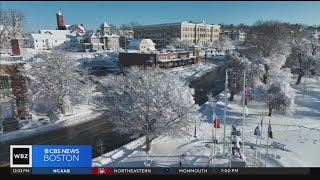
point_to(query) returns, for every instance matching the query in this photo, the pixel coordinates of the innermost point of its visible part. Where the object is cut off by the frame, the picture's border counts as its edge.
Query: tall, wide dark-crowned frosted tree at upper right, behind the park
(269, 45)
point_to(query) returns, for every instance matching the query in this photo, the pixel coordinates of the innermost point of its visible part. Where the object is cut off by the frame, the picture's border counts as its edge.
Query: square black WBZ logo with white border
(20, 155)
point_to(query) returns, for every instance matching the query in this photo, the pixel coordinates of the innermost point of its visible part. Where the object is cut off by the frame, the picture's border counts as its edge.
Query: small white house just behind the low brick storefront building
(142, 45)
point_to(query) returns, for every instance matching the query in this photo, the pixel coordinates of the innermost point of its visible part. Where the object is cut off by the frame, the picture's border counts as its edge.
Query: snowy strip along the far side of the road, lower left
(81, 114)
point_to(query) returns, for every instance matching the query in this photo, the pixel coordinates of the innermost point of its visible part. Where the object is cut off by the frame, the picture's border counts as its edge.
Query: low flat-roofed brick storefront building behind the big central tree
(161, 59)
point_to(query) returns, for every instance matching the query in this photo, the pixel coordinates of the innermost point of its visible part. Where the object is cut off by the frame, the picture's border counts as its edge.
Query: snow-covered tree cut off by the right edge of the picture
(306, 51)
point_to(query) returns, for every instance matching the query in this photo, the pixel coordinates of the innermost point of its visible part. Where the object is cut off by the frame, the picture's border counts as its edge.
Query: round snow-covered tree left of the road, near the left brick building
(56, 78)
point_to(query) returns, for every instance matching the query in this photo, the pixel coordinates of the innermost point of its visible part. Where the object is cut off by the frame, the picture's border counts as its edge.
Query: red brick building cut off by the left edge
(13, 96)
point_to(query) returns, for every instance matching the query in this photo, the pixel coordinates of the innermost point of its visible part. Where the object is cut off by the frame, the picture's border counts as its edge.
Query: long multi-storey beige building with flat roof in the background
(161, 34)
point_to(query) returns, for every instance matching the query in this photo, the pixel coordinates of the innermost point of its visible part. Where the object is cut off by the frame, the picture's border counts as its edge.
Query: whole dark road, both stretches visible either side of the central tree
(90, 132)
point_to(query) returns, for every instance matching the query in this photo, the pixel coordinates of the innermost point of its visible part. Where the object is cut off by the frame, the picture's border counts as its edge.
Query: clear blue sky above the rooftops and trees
(41, 15)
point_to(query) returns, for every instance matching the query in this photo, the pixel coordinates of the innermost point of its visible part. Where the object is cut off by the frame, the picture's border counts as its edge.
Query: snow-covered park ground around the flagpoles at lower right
(299, 132)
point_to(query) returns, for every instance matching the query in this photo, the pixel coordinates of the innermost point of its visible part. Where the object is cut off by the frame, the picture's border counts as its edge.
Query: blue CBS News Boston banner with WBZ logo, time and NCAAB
(50, 159)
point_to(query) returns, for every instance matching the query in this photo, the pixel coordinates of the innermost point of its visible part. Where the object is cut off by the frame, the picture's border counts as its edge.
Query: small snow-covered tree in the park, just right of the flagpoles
(279, 96)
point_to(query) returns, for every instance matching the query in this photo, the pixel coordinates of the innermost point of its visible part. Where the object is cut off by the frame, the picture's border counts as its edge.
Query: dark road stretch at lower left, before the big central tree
(87, 133)
